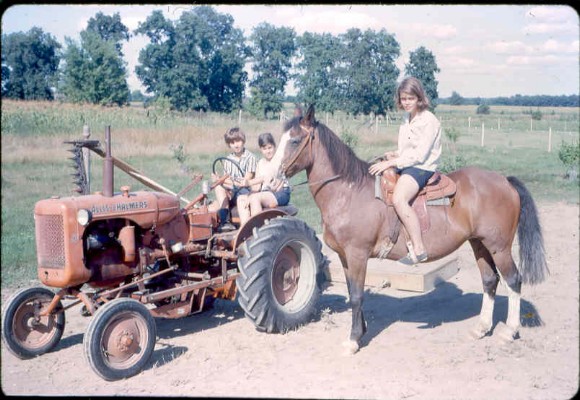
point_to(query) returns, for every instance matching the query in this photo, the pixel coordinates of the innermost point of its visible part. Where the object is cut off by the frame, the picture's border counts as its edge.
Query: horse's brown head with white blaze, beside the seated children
(298, 151)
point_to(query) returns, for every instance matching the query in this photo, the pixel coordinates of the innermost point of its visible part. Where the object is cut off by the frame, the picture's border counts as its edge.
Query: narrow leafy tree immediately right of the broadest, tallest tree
(272, 51)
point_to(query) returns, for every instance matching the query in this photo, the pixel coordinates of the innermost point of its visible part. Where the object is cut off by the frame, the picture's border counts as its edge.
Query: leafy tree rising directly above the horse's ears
(317, 78)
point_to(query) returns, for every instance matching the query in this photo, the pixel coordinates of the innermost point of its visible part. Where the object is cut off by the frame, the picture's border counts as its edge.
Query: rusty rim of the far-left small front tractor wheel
(33, 332)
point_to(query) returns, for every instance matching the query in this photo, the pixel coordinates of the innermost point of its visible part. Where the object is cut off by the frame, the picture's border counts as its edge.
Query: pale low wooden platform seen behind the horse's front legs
(381, 273)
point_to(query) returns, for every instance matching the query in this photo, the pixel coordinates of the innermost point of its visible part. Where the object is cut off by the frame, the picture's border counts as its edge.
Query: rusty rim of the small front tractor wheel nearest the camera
(124, 340)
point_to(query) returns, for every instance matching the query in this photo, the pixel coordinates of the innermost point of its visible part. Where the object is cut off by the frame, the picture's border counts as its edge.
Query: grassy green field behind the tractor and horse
(35, 165)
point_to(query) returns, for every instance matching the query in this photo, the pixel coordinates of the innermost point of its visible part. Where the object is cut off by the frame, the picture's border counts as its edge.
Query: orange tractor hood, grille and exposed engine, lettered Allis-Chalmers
(98, 240)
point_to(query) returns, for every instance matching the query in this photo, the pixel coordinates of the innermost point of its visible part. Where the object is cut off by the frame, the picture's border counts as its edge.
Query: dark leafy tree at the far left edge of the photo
(29, 65)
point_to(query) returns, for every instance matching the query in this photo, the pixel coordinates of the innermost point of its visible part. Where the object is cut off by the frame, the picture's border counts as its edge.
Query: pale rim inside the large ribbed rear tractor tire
(293, 276)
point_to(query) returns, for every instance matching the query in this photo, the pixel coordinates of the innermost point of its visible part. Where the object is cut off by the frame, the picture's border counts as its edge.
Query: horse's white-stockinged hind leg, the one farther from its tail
(490, 280)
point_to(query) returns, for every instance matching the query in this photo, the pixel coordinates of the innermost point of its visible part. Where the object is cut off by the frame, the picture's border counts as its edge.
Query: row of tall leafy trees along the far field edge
(200, 62)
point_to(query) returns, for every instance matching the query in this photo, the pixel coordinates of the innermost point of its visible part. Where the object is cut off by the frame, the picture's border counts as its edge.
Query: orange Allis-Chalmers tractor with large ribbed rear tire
(128, 257)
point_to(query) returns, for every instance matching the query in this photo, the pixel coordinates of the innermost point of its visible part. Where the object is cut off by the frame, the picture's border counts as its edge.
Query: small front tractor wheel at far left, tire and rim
(24, 331)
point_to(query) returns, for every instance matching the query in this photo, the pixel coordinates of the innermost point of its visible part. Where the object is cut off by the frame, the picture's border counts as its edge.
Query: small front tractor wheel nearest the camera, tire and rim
(120, 339)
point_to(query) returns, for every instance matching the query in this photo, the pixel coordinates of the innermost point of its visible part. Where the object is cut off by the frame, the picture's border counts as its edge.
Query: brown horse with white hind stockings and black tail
(487, 210)
